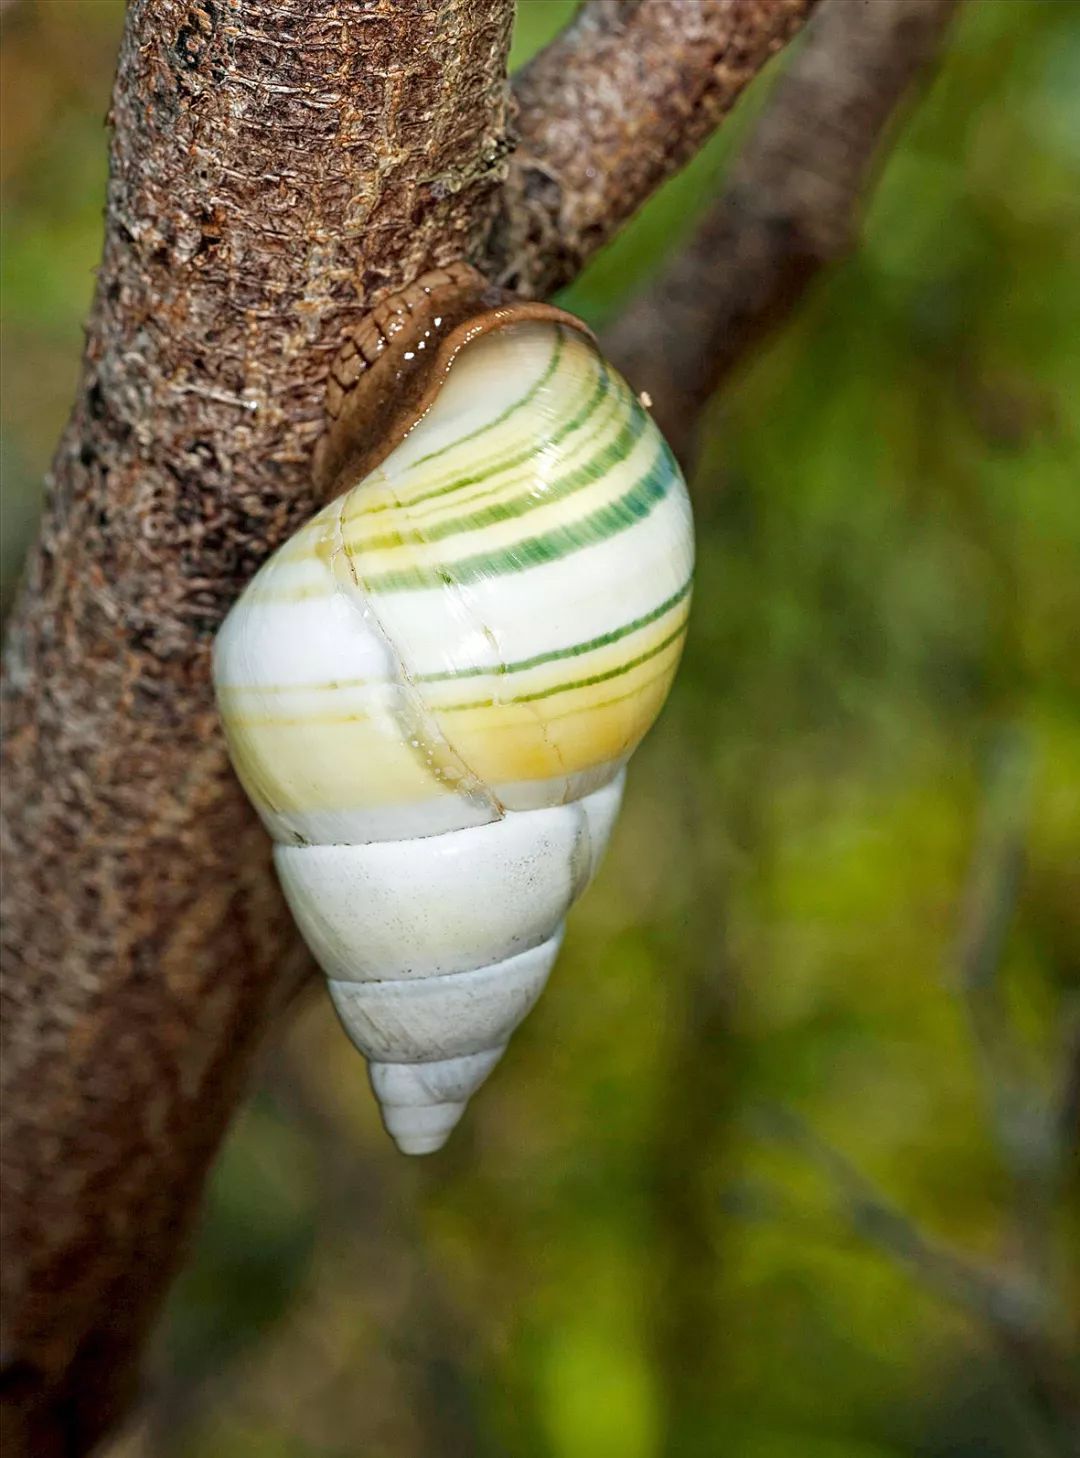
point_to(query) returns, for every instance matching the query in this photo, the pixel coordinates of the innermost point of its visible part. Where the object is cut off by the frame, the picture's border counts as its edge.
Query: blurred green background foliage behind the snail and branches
(783, 1164)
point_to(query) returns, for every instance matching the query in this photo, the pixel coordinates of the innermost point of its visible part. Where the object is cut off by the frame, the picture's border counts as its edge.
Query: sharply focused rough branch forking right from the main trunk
(610, 110)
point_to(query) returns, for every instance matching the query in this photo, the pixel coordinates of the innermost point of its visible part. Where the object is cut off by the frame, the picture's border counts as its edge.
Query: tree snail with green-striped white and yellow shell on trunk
(432, 690)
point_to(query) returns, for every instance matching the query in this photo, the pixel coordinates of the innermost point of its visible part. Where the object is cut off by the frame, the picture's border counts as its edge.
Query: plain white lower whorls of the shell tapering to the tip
(403, 967)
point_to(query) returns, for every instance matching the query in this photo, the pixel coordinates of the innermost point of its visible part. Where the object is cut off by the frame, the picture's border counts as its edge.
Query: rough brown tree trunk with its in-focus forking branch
(275, 170)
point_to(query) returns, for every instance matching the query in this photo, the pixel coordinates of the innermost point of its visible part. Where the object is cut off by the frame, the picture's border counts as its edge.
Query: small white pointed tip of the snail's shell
(423, 1102)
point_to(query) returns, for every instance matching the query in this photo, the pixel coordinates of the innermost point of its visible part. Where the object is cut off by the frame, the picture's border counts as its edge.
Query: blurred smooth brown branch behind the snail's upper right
(789, 209)
